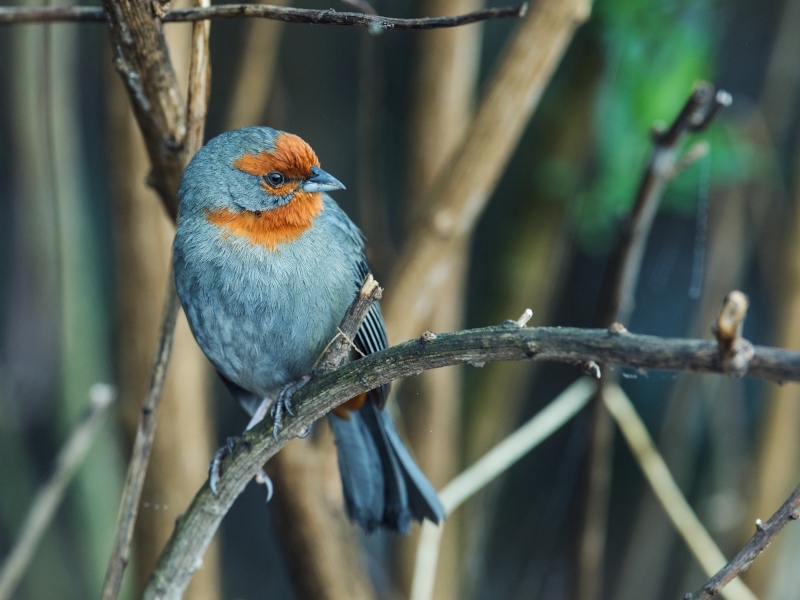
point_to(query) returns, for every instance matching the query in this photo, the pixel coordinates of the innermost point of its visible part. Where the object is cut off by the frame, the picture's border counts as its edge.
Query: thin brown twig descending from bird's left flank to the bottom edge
(142, 446)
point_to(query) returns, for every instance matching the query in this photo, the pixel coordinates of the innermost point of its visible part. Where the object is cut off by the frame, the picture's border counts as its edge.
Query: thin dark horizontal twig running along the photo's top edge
(86, 14)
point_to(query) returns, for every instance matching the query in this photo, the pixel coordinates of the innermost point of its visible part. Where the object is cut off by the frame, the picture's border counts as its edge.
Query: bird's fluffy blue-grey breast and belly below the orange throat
(261, 316)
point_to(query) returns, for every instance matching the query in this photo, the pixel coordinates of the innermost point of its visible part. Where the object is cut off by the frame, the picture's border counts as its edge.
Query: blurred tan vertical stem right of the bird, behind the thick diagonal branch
(445, 84)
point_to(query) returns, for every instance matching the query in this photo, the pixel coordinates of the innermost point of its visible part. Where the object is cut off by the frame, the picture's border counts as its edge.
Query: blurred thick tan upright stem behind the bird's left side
(184, 444)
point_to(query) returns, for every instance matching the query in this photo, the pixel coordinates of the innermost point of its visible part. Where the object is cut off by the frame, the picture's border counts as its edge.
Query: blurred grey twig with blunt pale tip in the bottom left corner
(50, 495)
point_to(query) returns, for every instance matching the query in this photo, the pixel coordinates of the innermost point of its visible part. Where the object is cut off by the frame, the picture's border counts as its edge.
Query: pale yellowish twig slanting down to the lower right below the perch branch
(667, 491)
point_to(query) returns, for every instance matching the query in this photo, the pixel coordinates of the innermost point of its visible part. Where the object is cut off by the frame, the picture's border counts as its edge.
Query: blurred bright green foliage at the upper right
(652, 55)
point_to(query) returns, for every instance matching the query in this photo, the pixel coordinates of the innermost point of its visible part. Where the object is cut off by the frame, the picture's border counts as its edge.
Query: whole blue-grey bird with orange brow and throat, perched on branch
(266, 264)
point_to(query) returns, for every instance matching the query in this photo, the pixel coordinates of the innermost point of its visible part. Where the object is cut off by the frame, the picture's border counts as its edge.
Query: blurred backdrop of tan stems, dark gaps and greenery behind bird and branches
(85, 249)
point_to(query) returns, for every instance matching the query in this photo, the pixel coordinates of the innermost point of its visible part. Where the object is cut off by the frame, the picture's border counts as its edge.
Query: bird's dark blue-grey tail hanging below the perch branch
(383, 486)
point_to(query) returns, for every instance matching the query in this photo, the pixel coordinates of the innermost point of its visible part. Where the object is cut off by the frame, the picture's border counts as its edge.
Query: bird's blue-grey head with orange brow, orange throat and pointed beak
(256, 182)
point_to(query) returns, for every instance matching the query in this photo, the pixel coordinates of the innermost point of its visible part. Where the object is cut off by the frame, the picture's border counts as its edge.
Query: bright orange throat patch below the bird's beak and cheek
(271, 227)
